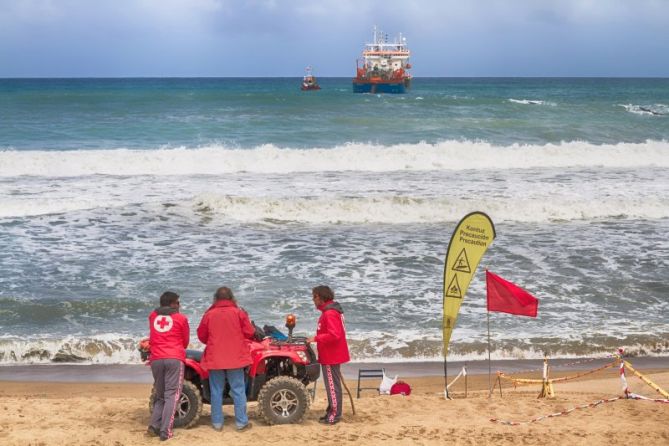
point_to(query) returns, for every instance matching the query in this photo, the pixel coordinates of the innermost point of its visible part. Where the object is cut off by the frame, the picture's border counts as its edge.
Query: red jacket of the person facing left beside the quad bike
(331, 335)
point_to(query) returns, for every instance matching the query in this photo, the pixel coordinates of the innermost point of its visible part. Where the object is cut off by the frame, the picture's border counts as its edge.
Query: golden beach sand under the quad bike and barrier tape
(76, 413)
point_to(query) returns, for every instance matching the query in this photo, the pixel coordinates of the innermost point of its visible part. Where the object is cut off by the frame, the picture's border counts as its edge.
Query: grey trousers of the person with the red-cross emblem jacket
(168, 376)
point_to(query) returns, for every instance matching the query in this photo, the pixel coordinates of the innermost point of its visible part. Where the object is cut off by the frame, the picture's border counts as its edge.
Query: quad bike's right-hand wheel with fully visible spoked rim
(282, 400)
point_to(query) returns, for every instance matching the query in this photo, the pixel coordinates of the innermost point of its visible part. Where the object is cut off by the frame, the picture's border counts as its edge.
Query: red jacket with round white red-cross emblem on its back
(169, 334)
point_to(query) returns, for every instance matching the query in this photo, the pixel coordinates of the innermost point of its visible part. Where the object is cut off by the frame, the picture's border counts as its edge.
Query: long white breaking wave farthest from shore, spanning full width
(216, 160)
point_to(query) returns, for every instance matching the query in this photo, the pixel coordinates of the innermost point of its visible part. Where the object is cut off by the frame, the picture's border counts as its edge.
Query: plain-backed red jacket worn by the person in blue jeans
(224, 329)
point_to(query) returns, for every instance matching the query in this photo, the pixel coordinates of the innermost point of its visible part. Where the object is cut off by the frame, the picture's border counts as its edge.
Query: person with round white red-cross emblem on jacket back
(169, 335)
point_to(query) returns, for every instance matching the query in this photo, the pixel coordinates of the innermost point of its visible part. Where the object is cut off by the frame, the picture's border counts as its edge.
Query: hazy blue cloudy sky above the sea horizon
(265, 38)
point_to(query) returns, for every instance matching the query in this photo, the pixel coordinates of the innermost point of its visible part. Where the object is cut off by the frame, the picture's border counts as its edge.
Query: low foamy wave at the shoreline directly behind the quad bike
(365, 347)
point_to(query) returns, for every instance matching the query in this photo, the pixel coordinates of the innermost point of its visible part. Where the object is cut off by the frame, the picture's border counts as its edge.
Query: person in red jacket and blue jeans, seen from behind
(225, 330)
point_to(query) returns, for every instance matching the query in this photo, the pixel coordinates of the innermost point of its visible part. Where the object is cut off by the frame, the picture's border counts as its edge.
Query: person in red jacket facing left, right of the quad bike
(330, 340)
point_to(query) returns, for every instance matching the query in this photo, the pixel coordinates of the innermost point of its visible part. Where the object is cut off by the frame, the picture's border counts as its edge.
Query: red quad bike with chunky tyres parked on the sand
(277, 379)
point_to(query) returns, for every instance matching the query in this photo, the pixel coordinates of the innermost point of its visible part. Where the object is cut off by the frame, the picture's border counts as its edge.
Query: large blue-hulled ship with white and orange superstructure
(384, 66)
